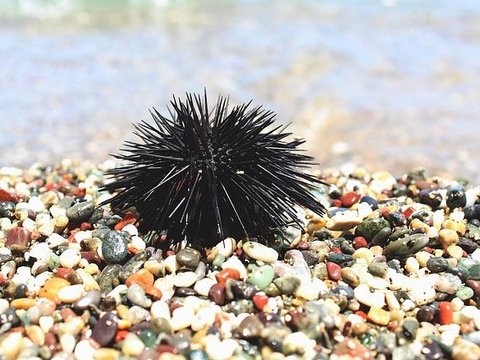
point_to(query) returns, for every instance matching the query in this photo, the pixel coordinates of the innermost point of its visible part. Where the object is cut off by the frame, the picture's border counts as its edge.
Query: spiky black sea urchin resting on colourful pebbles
(204, 175)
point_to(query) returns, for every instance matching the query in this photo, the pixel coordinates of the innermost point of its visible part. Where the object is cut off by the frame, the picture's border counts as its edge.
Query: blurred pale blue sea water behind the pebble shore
(383, 84)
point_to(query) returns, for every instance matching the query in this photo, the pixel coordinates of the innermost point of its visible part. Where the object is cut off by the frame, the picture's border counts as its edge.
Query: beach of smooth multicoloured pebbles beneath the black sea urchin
(392, 271)
